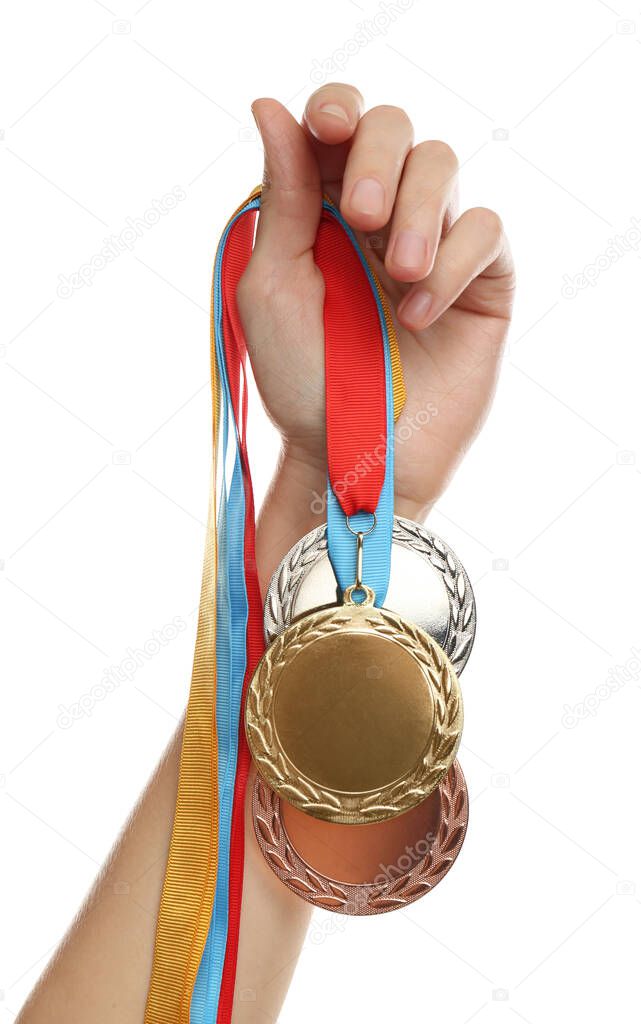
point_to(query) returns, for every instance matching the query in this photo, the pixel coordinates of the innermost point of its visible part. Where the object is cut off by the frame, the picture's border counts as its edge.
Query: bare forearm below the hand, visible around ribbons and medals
(101, 972)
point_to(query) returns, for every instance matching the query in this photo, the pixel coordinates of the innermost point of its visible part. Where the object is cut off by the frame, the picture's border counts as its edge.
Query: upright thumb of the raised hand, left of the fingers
(292, 198)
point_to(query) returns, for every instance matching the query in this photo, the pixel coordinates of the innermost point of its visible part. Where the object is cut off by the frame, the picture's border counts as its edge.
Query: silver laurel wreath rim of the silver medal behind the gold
(287, 580)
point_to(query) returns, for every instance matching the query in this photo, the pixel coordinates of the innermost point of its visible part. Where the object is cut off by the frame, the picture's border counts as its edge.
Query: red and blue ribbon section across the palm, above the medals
(361, 352)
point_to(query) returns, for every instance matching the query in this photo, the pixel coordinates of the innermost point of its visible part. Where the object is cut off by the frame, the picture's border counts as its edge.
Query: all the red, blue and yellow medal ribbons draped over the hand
(197, 941)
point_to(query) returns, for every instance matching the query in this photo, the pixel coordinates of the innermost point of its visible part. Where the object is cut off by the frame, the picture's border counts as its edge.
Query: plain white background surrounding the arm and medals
(108, 107)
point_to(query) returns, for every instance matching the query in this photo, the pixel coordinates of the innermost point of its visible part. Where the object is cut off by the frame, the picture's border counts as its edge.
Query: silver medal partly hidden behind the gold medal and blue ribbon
(428, 586)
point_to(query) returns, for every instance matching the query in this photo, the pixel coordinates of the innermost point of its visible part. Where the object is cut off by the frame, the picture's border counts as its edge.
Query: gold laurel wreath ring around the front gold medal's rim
(330, 805)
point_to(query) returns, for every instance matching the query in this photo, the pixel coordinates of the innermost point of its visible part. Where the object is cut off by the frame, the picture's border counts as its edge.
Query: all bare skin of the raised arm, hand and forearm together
(451, 283)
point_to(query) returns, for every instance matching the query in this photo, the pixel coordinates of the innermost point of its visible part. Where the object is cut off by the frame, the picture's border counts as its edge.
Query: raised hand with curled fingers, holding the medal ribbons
(450, 280)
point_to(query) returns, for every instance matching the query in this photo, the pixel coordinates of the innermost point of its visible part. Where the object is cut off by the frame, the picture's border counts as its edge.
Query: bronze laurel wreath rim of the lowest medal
(370, 899)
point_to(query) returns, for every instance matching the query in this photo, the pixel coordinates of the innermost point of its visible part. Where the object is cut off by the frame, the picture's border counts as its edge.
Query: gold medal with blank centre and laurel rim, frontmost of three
(354, 715)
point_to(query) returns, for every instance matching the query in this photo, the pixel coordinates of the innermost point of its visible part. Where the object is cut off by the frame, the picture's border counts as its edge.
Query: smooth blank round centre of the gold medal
(354, 712)
